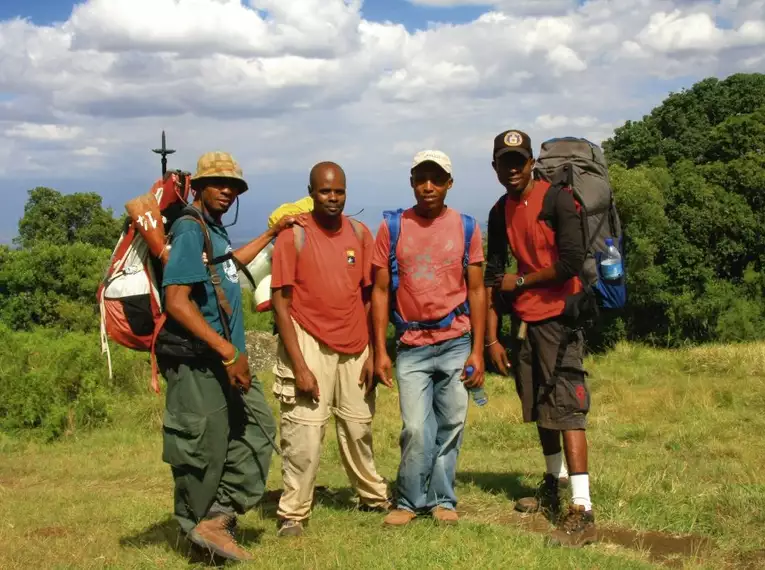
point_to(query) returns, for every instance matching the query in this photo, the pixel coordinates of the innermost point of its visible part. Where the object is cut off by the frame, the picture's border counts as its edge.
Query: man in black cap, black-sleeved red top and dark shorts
(547, 347)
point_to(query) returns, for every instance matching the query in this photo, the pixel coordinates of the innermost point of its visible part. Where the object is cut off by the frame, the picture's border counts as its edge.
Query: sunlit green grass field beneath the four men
(677, 467)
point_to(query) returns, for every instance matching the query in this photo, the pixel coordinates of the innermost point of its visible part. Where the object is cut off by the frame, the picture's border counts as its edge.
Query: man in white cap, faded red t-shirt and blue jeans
(434, 345)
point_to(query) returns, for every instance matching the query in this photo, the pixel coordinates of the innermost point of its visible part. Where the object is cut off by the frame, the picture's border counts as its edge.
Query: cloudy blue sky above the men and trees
(82, 100)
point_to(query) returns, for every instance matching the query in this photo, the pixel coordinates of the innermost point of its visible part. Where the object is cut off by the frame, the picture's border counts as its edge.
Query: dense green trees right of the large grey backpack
(689, 181)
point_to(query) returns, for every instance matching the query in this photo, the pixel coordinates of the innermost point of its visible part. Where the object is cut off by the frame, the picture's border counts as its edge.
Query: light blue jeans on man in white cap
(434, 405)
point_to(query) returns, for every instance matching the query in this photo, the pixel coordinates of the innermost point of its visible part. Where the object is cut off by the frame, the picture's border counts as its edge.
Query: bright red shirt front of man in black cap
(532, 243)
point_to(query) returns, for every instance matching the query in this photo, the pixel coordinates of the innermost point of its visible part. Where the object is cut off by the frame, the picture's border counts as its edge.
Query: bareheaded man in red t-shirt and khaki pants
(321, 280)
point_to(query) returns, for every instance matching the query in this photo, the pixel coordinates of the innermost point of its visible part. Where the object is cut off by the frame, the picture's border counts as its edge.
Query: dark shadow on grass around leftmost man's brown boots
(168, 531)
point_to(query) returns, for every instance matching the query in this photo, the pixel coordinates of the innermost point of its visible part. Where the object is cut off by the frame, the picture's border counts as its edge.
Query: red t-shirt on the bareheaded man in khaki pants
(327, 278)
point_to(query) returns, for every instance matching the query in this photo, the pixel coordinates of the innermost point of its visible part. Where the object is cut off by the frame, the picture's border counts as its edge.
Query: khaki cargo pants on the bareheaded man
(304, 422)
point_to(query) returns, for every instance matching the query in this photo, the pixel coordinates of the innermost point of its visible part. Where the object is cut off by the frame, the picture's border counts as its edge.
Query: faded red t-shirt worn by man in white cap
(431, 281)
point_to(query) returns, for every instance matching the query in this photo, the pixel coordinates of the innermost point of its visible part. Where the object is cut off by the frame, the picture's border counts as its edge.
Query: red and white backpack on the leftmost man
(129, 295)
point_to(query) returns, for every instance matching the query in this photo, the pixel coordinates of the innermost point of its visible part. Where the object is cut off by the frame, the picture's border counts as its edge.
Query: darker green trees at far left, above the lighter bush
(51, 279)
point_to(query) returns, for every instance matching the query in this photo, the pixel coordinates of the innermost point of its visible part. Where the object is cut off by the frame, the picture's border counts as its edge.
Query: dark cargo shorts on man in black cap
(549, 374)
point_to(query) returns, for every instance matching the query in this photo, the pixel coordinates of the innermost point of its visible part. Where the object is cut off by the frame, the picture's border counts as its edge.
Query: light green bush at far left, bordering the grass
(54, 384)
